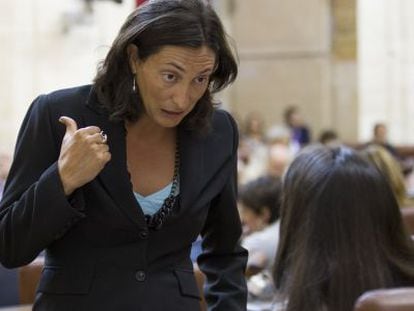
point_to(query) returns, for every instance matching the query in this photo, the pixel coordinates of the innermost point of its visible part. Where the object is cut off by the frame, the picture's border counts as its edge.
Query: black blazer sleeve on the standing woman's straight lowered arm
(223, 260)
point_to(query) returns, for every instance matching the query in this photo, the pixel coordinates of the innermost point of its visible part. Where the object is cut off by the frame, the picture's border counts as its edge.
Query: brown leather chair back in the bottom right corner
(396, 299)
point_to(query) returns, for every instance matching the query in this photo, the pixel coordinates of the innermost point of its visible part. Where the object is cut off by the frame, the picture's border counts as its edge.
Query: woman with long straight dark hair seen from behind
(341, 232)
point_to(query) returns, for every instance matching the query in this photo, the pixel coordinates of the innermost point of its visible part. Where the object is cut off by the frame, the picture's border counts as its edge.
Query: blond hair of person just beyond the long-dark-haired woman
(391, 169)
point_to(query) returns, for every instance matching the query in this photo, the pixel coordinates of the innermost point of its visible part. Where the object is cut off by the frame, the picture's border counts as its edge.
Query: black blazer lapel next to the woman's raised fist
(115, 177)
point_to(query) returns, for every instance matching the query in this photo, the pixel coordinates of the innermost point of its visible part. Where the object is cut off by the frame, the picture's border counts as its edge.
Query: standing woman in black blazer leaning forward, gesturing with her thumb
(141, 167)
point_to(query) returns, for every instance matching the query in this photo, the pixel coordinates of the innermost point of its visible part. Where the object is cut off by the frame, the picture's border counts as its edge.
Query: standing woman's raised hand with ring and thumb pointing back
(83, 155)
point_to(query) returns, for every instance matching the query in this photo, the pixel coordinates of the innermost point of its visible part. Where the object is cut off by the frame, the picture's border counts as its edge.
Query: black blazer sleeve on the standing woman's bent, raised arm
(34, 210)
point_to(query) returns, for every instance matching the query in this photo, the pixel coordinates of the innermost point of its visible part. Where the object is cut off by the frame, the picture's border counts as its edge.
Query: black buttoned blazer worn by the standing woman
(100, 254)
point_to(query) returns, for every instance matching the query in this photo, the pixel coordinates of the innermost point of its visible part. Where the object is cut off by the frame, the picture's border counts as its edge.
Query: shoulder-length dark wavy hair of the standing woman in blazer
(152, 26)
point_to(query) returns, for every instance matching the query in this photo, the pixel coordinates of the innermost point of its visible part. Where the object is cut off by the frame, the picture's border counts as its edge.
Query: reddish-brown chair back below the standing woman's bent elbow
(29, 276)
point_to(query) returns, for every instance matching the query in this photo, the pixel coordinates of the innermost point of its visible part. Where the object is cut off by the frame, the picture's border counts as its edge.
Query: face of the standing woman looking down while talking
(172, 81)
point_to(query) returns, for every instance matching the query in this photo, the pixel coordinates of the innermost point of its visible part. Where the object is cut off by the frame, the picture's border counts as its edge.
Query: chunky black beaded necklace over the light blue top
(157, 220)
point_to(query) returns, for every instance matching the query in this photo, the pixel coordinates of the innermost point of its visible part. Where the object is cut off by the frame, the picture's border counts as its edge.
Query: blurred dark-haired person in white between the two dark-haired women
(259, 202)
